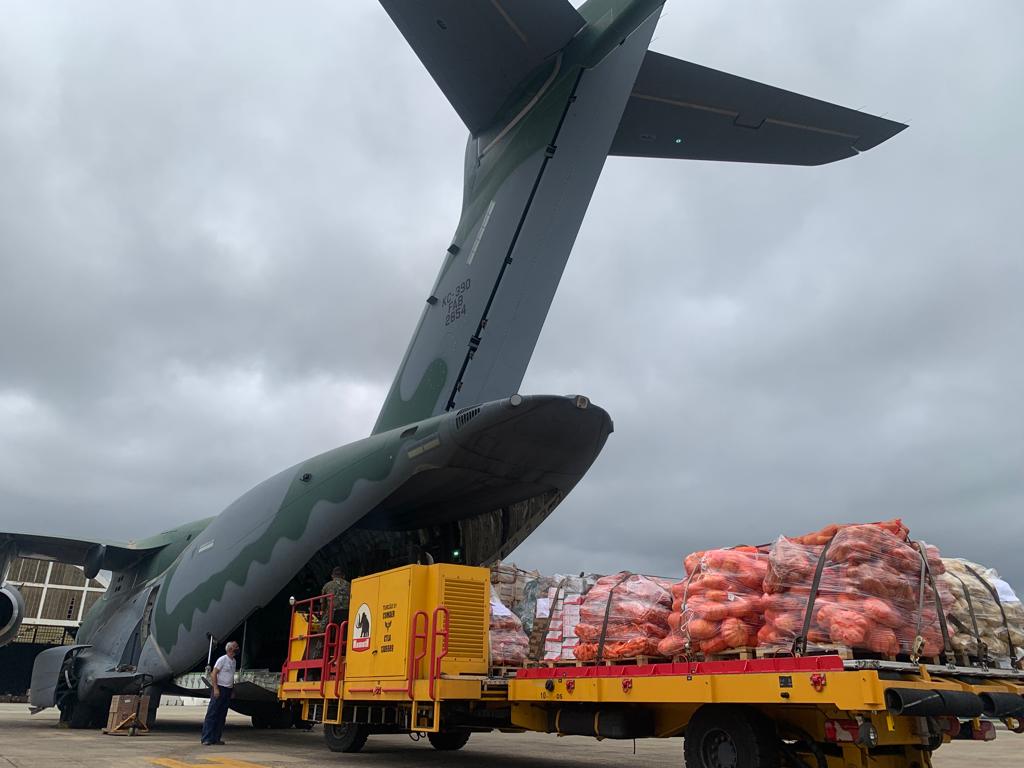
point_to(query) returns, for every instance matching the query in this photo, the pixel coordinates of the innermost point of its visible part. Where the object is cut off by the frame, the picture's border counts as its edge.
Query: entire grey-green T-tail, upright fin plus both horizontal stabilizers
(547, 94)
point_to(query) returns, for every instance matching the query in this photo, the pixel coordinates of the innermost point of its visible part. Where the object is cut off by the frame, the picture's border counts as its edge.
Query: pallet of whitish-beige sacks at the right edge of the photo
(987, 612)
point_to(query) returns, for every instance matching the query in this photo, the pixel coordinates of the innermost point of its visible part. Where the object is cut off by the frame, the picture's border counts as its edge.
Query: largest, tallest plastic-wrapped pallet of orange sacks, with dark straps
(869, 595)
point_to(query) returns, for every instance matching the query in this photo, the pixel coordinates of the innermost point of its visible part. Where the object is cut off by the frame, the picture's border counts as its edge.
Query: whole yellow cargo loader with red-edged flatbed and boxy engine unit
(414, 658)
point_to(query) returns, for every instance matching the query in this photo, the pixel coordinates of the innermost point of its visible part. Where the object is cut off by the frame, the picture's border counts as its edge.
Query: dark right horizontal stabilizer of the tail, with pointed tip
(685, 111)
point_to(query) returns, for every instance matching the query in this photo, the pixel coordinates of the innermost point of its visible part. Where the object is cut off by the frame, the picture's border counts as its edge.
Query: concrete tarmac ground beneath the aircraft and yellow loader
(35, 742)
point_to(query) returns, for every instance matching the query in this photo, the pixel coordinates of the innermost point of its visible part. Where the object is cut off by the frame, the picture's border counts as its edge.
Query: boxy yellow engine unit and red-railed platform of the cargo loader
(415, 637)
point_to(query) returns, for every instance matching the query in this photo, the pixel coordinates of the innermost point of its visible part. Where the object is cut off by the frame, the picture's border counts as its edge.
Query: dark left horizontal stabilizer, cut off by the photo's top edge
(480, 52)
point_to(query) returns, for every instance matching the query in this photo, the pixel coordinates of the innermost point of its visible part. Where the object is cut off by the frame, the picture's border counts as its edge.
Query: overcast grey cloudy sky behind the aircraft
(219, 222)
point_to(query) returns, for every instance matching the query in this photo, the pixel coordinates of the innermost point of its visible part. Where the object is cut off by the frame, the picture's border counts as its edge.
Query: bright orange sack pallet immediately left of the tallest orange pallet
(717, 607)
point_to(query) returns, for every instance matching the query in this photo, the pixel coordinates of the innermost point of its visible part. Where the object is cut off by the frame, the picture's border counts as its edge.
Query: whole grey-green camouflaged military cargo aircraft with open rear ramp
(459, 466)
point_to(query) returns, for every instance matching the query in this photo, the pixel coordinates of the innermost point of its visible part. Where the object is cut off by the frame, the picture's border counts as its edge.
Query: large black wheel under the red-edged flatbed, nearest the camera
(729, 737)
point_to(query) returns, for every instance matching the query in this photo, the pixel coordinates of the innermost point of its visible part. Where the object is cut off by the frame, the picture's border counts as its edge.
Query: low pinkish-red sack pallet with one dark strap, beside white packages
(623, 617)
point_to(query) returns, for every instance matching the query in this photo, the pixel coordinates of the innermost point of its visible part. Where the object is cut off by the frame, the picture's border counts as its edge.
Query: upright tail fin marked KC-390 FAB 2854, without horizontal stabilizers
(530, 178)
